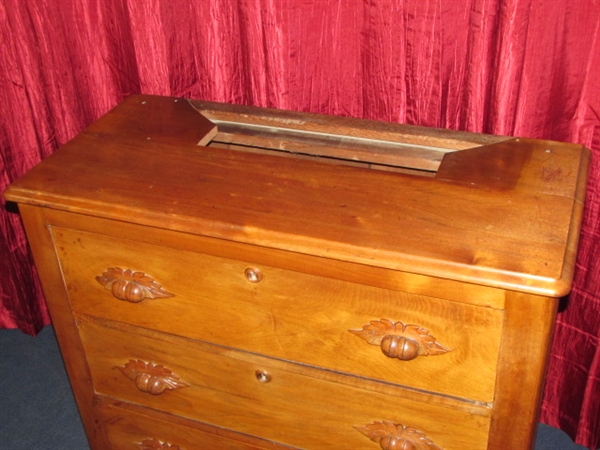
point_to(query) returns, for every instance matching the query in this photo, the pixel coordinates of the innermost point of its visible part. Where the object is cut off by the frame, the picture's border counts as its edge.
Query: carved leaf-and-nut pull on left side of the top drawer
(131, 286)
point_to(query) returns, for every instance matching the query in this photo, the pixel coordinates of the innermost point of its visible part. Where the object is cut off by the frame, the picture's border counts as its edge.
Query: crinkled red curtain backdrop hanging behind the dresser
(511, 67)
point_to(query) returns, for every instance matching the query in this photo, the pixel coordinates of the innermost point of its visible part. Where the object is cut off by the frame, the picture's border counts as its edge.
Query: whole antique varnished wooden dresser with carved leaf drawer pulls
(225, 277)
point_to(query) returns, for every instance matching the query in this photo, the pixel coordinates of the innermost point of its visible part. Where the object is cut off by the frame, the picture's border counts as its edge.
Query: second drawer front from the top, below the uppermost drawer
(278, 401)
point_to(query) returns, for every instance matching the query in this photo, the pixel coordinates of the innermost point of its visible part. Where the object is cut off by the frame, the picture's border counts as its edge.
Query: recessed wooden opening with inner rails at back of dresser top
(366, 143)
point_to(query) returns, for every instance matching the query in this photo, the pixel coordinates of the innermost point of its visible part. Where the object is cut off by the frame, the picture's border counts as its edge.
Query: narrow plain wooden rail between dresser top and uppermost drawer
(343, 270)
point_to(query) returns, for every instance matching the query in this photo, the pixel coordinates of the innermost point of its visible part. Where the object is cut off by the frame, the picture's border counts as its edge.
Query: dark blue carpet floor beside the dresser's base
(38, 412)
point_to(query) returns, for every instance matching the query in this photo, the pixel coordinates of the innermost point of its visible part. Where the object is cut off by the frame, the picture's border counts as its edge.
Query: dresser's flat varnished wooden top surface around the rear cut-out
(504, 213)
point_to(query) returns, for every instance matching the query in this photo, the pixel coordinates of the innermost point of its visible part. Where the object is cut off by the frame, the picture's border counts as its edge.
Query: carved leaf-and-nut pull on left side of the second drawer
(150, 378)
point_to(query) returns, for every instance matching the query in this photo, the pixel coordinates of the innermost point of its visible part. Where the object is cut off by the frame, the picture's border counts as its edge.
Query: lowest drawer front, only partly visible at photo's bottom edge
(128, 430)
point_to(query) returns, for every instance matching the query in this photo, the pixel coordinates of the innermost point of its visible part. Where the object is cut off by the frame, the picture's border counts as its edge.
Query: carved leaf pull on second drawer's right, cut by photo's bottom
(392, 436)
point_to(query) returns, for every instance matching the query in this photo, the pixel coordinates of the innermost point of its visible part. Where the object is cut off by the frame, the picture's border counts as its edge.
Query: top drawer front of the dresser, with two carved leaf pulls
(285, 314)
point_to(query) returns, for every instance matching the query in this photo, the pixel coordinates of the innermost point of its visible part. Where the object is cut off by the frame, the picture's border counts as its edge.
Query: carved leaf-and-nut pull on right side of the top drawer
(397, 340)
